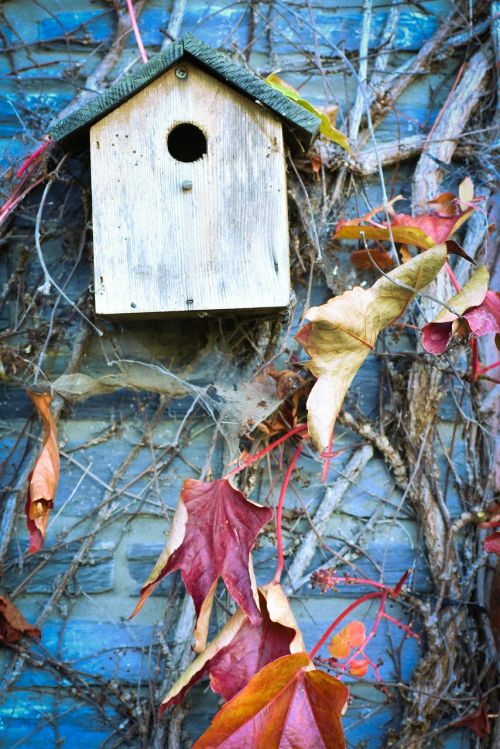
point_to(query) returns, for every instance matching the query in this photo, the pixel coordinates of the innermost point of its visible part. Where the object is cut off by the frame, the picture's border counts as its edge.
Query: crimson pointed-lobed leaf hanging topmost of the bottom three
(212, 534)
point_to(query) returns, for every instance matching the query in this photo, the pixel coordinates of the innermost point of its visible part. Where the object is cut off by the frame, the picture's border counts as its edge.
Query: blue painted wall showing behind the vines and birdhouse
(126, 450)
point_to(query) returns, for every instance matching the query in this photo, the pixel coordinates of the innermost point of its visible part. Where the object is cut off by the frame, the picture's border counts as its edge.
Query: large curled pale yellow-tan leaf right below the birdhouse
(343, 331)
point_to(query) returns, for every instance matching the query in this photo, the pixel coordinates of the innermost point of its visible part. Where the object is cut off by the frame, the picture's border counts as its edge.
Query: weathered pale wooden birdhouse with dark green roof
(189, 191)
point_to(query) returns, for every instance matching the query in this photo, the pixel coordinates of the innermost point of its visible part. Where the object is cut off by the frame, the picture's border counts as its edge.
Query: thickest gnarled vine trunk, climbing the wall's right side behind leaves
(442, 666)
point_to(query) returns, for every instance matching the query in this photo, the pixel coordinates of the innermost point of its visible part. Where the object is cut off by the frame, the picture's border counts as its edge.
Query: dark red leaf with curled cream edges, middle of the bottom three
(242, 648)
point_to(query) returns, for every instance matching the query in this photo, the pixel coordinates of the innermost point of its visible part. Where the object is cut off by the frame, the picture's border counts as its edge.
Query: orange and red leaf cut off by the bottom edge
(287, 704)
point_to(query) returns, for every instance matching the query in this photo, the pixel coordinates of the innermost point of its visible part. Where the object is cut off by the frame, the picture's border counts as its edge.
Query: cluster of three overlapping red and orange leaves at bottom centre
(258, 661)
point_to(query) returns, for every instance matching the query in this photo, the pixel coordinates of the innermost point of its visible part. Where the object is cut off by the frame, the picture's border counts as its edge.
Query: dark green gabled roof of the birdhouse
(302, 126)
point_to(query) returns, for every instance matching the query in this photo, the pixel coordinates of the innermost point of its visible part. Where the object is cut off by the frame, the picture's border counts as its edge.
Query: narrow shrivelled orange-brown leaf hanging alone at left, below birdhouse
(44, 477)
